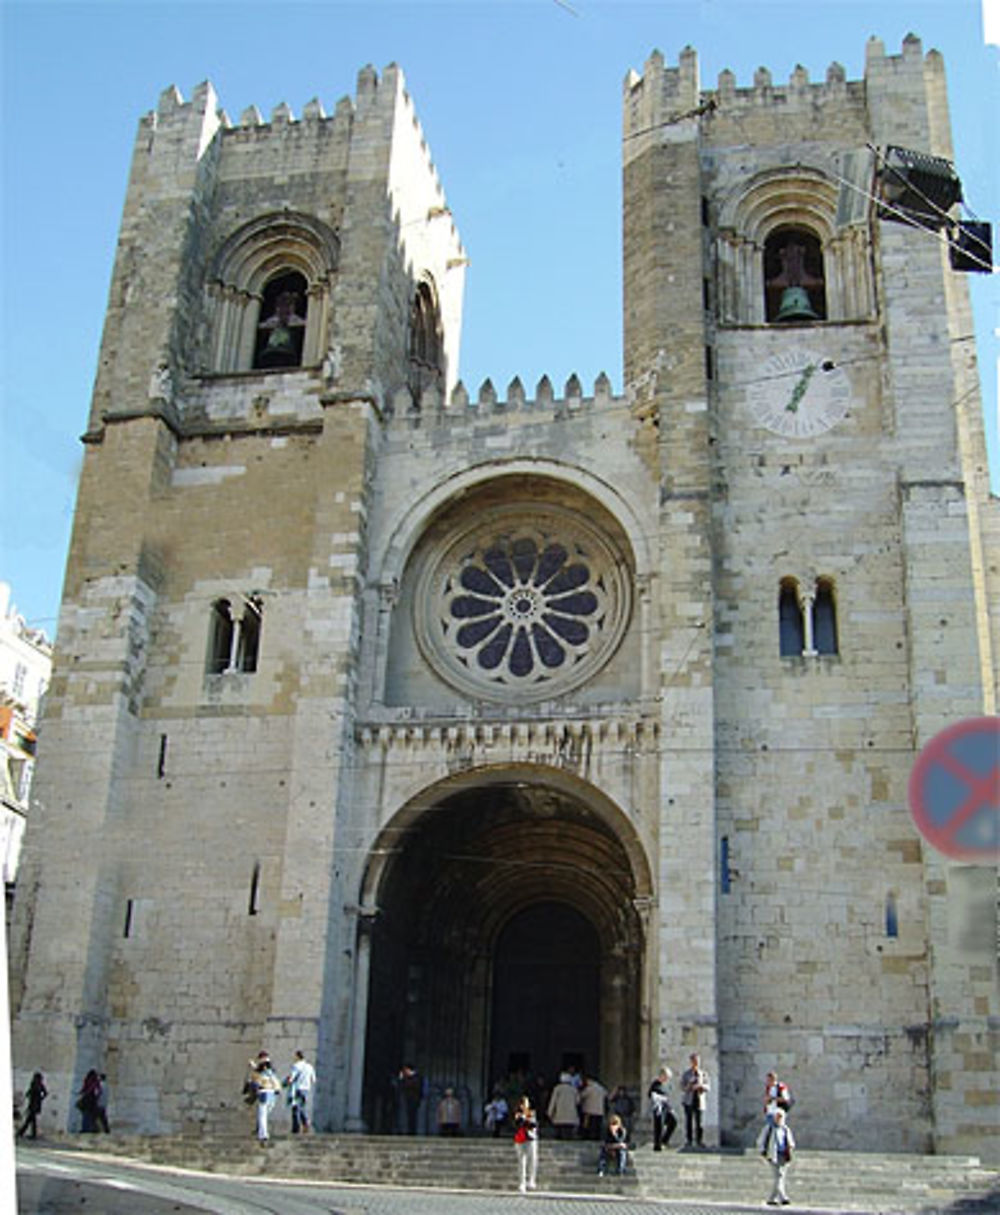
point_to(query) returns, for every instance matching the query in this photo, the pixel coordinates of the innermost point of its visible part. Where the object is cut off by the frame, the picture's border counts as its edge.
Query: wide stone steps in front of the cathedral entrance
(844, 1182)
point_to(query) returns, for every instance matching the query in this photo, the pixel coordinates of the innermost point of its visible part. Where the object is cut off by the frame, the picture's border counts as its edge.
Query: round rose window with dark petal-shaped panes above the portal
(524, 608)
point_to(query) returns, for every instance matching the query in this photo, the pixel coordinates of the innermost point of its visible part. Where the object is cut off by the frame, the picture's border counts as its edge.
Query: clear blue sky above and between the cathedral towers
(521, 103)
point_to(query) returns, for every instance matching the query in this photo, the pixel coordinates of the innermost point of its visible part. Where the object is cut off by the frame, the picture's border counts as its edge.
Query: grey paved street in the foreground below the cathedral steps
(53, 1183)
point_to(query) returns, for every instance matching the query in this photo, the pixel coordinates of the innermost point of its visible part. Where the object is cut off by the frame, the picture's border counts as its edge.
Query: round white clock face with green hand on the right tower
(800, 394)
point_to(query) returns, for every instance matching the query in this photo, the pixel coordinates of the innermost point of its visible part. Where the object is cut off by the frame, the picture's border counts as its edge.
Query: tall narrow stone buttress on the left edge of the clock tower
(666, 375)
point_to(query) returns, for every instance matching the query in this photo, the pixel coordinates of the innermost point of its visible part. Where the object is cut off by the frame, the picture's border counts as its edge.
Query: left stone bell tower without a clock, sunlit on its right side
(280, 289)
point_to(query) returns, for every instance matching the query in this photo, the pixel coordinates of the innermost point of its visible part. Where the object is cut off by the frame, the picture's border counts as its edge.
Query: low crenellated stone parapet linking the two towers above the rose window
(488, 403)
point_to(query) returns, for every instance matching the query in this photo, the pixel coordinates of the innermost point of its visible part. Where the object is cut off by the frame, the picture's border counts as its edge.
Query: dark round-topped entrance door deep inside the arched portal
(546, 993)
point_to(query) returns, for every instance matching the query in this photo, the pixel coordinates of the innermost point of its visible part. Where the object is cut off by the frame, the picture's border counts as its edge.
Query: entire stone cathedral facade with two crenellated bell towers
(507, 730)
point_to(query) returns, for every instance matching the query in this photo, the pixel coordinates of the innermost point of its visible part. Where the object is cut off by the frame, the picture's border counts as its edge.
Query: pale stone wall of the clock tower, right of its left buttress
(815, 754)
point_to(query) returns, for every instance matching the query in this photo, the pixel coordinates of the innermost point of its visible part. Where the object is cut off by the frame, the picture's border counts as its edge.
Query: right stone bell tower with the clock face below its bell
(805, 360)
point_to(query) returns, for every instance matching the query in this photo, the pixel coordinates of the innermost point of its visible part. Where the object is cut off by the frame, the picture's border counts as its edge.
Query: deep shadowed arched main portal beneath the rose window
(507, 937)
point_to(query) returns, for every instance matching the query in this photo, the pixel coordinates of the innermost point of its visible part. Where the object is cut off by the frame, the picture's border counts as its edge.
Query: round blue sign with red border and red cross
(956, 792)
